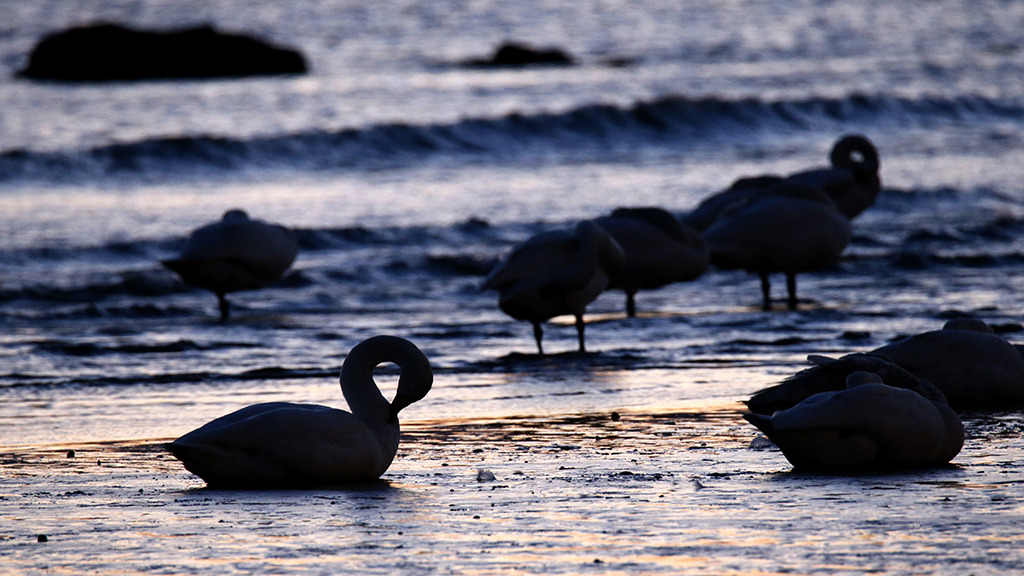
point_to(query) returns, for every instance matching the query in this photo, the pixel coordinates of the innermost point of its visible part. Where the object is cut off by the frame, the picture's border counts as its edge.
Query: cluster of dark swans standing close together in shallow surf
(763, 225)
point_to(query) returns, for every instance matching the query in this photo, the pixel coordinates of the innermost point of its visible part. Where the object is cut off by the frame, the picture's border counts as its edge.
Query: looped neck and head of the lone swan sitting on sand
(362, 393)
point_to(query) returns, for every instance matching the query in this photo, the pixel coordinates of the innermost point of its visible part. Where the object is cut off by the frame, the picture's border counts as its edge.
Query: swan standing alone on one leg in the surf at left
(235, 254)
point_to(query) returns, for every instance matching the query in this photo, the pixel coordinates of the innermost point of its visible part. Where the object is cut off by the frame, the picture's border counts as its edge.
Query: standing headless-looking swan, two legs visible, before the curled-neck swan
(790, 229)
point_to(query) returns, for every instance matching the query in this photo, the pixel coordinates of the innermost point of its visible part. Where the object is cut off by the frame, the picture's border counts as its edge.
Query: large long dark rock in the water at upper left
(108, 53)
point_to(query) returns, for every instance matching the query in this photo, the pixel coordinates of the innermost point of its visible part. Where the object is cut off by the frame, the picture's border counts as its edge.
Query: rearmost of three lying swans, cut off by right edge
(974, 367)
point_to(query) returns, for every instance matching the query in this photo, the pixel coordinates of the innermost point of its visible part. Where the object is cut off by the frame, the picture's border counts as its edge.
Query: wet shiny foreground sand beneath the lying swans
(670, 493)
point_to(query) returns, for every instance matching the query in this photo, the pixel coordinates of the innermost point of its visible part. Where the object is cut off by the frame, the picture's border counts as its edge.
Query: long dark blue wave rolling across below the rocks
(667, 121)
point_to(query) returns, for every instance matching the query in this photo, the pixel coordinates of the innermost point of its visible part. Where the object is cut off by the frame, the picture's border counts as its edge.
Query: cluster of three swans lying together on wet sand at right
(895, 407)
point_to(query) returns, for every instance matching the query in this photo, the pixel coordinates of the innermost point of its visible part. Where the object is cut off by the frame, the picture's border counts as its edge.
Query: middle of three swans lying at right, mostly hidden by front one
(829, 375)
